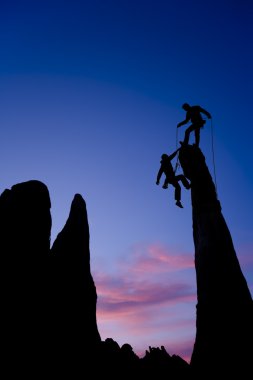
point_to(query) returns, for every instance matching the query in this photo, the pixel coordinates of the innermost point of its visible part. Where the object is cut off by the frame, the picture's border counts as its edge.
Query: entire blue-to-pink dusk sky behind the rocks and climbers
(90, 96)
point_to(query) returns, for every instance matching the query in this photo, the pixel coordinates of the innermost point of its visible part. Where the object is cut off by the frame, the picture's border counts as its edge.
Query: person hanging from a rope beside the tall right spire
(170, 177)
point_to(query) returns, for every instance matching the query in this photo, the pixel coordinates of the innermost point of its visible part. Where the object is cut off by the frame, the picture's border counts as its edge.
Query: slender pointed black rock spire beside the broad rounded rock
(75, 291)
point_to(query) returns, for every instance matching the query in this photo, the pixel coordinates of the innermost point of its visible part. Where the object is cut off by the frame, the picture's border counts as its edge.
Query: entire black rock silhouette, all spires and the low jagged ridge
(49, 297)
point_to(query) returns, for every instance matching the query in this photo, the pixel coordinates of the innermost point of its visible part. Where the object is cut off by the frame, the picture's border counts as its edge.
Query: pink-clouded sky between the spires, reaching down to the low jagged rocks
(148, 299)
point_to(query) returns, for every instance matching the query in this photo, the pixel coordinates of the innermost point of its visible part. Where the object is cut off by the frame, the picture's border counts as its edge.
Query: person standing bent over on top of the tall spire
(193, 114)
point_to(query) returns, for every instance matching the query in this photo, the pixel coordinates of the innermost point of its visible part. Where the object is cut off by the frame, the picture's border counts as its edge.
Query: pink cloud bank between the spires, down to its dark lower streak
(133, 287)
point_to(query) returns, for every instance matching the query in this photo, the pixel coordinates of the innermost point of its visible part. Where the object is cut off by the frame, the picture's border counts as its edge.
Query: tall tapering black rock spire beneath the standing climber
(225, 308)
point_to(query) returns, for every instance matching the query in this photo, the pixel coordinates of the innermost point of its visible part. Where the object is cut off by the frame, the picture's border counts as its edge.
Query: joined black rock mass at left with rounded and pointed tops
(48, 308)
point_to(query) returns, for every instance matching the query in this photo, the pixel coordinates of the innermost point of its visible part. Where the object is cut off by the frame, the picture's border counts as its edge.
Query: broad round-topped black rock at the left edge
(25, 226)
